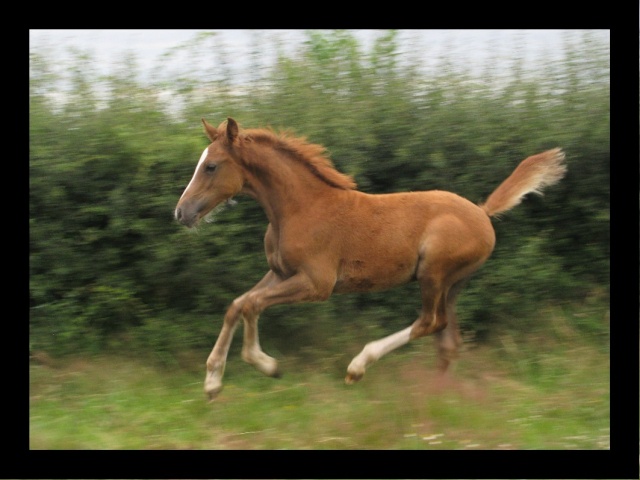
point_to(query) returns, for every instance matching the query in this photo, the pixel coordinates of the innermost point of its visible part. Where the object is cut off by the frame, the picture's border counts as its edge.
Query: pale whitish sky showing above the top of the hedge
(107, 46)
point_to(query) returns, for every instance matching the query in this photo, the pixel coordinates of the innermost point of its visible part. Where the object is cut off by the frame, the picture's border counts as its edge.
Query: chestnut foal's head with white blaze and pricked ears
(218, 176)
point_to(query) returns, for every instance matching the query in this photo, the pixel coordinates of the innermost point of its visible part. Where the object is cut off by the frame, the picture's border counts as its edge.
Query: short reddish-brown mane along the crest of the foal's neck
(312, 156)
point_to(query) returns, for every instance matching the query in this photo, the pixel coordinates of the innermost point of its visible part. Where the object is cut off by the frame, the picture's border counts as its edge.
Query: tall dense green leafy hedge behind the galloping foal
(109, 266)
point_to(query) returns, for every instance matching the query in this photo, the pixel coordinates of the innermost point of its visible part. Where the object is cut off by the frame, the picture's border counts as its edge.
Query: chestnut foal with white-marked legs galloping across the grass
(326, 237)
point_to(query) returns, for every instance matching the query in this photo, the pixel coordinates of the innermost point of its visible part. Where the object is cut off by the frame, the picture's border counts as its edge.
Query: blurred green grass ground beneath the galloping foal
(537, 393)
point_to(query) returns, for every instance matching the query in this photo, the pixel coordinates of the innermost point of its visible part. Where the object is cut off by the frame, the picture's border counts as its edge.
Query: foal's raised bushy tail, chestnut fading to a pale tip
(531, 176)
